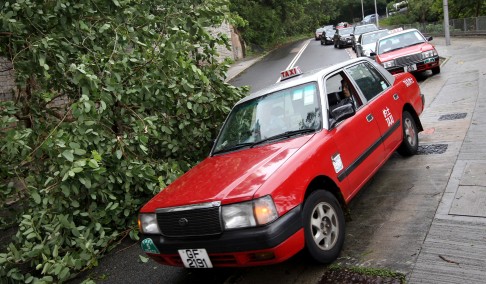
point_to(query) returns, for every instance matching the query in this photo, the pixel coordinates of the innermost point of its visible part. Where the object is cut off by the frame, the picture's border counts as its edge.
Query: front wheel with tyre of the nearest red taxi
(323, 226)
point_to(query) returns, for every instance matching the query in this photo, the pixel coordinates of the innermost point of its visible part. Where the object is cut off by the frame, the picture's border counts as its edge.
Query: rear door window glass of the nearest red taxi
(368, 79)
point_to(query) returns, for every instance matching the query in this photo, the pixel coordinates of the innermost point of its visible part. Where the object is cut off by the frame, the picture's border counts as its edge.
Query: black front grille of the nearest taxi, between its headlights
(190, 223)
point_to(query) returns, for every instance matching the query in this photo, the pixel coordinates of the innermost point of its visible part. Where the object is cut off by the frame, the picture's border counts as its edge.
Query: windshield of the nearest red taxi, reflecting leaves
(281, 114)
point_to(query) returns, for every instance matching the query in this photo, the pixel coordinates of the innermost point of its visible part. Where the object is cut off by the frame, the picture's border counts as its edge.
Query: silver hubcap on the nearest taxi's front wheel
(324, 226)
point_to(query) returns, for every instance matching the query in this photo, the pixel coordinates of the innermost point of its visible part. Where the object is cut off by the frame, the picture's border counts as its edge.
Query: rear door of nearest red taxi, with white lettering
(384, 102)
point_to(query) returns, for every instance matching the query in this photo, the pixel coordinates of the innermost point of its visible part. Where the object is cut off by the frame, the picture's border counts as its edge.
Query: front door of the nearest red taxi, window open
(357, 139)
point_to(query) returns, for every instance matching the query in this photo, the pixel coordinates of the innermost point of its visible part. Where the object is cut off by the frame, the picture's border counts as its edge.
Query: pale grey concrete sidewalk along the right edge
(454, 250)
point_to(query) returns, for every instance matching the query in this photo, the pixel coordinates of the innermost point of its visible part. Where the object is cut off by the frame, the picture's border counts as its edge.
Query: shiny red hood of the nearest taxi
(231, 177)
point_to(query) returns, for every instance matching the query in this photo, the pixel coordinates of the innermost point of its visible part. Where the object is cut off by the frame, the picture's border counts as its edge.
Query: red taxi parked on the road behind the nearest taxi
(407, 51)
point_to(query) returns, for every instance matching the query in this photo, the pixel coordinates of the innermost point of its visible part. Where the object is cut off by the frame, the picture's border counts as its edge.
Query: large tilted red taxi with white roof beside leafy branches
(283, 168)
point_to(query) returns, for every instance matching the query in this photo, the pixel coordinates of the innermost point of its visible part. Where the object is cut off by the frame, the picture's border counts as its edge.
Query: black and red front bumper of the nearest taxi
(270, 244)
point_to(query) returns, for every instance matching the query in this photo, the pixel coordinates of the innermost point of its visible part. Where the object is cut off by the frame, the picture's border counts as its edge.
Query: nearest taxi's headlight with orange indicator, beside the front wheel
(249, 214)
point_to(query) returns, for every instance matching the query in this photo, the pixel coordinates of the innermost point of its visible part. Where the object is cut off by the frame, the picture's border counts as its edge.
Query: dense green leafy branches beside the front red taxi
(114, 100)
